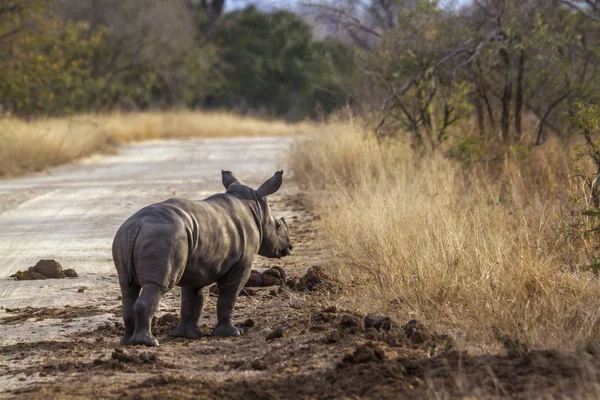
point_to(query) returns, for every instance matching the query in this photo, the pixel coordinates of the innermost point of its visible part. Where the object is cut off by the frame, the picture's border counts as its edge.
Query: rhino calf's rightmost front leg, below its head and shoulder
(229, 287)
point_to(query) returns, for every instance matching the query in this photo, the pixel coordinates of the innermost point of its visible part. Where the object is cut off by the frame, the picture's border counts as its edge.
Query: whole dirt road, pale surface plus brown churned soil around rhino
(60, 338)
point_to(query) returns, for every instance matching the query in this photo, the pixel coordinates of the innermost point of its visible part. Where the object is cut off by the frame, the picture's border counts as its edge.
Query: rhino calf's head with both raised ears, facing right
(275, 234)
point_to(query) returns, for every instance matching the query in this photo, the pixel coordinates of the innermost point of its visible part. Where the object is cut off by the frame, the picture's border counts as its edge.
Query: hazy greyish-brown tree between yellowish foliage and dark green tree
(150, 58)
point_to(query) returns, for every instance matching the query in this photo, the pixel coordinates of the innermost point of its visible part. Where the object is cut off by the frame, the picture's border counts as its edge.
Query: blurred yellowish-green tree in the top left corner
(45, 61)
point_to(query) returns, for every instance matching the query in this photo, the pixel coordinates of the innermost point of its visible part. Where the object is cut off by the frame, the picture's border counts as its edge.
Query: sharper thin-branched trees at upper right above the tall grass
(497, 59)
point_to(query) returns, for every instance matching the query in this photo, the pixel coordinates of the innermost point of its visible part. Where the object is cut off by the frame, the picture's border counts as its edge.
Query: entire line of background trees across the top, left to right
(413, 68)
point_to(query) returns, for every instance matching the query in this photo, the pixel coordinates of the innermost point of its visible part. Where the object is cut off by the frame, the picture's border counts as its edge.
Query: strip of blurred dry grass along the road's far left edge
(35, 145)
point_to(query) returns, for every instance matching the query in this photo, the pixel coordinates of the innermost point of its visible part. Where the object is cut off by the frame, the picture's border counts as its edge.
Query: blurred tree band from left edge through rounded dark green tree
(74, 56)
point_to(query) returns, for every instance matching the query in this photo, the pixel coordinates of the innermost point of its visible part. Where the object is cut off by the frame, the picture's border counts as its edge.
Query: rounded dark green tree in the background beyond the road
(270, 61)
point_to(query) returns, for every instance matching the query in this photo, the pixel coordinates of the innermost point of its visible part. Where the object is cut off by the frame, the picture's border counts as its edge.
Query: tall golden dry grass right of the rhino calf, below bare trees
(463, 250)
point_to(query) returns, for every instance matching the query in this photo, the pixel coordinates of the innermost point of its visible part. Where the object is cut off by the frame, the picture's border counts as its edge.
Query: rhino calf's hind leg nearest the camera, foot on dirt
(144, 310)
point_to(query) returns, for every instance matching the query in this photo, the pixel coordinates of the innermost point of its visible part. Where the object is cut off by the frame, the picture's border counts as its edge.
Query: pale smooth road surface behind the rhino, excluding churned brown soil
(71, 214)
